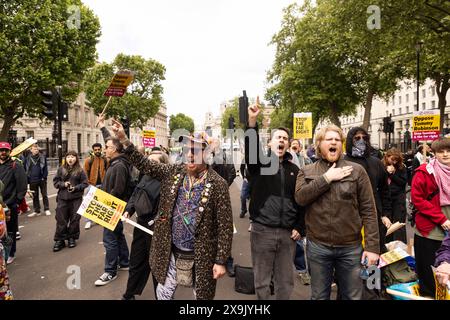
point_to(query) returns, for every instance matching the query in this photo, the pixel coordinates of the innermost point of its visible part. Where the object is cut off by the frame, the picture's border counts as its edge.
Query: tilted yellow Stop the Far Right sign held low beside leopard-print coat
(102, 208)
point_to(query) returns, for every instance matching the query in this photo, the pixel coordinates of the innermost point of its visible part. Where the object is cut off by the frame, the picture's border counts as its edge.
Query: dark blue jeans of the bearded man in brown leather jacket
(343, 262)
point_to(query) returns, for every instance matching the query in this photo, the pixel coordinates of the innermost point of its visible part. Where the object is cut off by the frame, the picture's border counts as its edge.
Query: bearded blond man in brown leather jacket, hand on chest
(338, 201)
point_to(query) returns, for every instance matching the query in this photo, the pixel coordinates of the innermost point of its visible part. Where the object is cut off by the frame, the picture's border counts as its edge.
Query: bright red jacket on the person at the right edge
(430, 214)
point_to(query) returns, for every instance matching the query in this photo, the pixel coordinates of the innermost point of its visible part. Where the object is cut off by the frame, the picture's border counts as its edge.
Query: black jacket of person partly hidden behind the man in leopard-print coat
(145, 198)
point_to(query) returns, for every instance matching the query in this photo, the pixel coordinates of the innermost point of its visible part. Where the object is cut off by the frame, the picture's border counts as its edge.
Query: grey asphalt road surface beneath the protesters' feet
(40, 274)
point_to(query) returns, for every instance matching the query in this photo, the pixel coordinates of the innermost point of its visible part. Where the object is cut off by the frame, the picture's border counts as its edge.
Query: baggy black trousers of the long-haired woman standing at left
(67, 219)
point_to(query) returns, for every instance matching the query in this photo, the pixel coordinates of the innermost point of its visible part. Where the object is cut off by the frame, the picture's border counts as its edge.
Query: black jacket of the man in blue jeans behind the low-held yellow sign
(117, 177)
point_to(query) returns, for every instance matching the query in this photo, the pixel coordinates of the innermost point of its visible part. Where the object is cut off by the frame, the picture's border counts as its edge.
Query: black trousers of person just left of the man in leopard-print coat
(139, 261)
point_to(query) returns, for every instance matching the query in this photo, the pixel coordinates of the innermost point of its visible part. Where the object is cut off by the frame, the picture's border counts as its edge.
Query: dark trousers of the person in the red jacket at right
(425, 254)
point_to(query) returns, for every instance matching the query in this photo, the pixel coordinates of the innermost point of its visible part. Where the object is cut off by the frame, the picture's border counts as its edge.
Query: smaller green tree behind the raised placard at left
(143, 97)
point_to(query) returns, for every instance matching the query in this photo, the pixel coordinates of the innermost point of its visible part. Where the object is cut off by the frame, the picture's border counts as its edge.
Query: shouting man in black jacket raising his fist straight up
(274, 213)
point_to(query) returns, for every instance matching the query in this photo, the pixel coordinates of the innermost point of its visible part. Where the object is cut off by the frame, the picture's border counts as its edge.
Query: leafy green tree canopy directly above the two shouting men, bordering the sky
(306, 74)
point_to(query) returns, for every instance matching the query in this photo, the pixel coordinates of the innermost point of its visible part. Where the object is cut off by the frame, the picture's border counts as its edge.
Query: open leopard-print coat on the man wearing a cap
(214, 223)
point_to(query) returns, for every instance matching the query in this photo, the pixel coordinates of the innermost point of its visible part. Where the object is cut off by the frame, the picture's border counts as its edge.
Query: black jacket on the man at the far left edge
(14, 178)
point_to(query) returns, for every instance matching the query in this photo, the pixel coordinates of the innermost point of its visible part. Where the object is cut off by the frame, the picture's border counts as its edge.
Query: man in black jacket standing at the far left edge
(14, 179)
